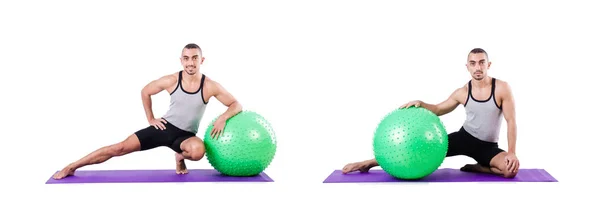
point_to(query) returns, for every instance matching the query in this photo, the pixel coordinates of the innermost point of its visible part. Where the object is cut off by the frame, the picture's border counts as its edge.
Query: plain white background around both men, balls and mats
(322, 72)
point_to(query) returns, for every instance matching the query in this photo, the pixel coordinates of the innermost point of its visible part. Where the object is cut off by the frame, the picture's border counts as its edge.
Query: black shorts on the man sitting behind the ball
(463, 143)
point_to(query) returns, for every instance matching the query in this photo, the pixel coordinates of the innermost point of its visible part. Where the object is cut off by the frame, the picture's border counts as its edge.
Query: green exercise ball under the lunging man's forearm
(246, 146)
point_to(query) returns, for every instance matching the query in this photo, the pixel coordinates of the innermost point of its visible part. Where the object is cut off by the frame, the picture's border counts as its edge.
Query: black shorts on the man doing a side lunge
(171, 137)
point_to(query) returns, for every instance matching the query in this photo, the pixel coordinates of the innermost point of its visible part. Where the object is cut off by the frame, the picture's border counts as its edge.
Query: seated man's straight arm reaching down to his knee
(508, 109)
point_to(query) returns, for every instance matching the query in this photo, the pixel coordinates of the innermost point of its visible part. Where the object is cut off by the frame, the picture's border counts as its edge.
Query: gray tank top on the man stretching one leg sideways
(187, 108)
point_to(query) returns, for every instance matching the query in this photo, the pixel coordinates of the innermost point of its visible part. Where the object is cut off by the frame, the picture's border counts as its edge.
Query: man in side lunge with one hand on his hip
(190, 92)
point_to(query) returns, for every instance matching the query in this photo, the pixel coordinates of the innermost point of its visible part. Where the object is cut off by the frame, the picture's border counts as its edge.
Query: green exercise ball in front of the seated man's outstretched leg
(410, 143)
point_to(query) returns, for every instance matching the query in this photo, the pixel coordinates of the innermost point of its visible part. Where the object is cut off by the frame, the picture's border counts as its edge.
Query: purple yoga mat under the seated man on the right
(440, 175)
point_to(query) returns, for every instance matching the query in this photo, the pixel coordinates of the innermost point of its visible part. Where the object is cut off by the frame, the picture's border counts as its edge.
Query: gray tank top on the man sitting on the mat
(484, 117)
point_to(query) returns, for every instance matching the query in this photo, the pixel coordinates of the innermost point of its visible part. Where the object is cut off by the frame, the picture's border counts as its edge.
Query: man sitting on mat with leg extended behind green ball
(486, 100)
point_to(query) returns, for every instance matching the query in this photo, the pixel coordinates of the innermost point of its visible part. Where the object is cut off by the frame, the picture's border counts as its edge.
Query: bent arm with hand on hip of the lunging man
(153, 88)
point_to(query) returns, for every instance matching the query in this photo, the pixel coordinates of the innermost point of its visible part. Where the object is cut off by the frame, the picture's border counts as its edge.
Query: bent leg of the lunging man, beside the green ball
(190, 148)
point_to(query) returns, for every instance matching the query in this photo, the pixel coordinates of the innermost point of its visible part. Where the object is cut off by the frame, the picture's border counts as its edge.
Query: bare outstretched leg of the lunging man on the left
(129, 145)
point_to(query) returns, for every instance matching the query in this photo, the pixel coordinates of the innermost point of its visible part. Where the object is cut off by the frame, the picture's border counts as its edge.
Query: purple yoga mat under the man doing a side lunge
(153, 176)
